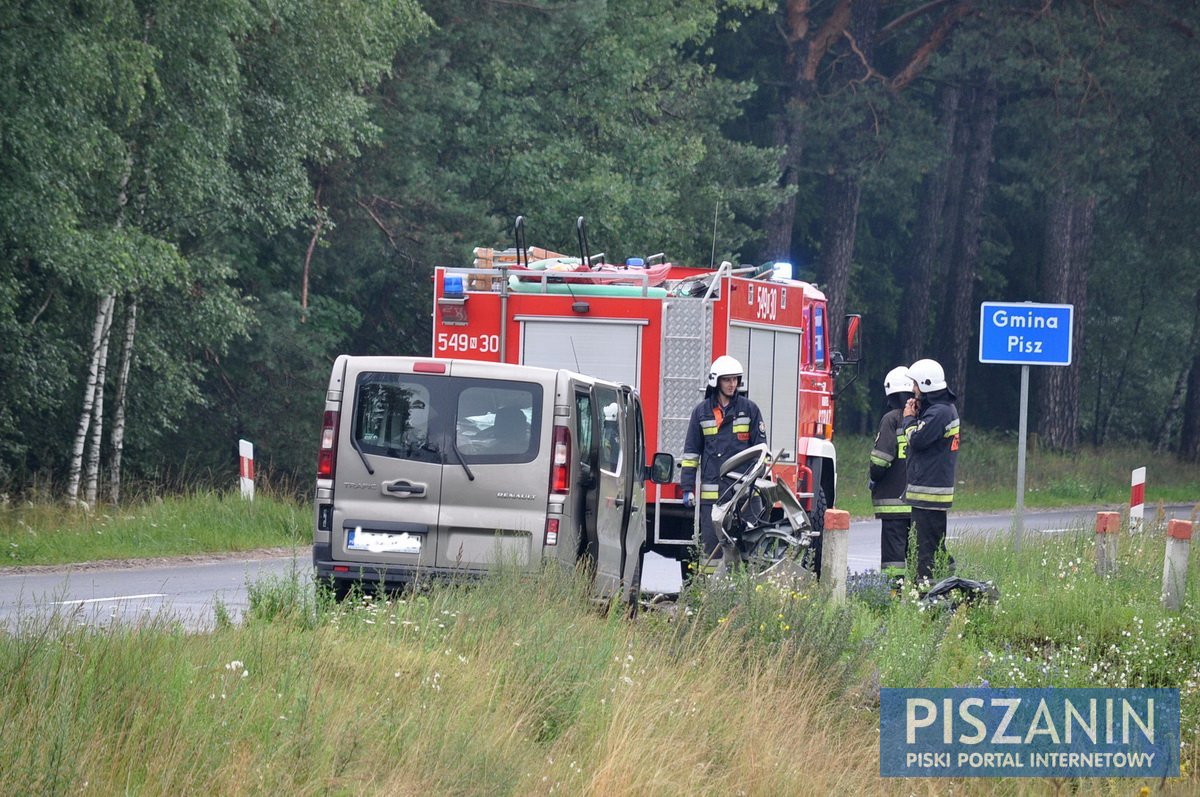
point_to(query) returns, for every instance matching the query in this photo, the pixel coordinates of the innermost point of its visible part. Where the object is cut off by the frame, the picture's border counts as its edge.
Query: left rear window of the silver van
(393, 417)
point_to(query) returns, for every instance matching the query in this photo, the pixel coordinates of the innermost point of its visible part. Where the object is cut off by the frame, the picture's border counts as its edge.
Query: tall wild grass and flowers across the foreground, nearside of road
(524, 686)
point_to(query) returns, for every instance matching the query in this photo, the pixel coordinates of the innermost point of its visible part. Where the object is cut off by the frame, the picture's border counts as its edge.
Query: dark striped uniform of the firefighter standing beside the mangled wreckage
(716, 434)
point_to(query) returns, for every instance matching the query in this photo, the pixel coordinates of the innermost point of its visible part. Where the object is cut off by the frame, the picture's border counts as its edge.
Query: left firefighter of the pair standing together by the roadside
(890, 476)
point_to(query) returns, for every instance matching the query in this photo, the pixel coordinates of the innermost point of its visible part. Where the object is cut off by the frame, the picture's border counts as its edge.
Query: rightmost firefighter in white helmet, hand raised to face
(932, 429)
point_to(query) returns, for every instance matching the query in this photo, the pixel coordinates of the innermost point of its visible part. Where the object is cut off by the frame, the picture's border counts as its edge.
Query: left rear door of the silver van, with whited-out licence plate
(389, 478)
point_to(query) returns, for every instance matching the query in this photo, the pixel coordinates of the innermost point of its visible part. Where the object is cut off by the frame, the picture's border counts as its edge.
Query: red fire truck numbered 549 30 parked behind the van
(657, 327)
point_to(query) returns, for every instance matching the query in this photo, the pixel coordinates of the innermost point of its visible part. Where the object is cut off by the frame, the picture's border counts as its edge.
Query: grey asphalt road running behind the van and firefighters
(190, 592)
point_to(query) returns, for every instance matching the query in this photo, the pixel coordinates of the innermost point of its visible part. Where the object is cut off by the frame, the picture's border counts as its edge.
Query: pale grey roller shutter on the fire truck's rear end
(605, 350)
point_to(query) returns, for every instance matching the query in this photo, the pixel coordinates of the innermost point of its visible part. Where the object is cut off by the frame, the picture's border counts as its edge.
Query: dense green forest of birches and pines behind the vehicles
(203, 203)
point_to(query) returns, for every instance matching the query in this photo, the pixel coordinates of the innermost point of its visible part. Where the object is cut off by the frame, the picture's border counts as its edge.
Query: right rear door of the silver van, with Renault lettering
(496, 482)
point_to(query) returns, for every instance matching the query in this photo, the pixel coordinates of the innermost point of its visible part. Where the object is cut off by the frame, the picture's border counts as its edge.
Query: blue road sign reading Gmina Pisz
(1025, 333)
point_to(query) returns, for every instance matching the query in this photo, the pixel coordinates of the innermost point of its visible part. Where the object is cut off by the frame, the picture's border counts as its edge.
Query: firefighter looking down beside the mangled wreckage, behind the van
(722, 426)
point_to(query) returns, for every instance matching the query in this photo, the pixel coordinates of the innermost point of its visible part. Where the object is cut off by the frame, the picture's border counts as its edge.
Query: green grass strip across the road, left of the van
(199, 523)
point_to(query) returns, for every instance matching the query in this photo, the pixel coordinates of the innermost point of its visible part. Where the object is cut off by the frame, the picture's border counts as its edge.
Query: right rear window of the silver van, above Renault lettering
(499, 422)
